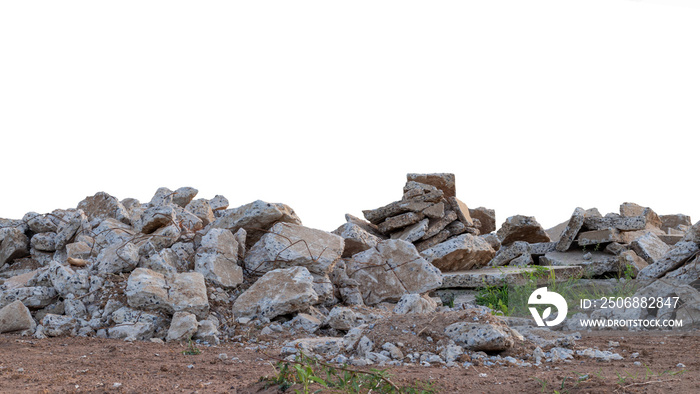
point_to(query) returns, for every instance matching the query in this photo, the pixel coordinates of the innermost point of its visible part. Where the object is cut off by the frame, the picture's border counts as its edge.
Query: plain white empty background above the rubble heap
(537, 106)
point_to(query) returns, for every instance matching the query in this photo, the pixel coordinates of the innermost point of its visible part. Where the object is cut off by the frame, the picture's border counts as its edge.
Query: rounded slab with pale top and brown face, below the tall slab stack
(462, 252)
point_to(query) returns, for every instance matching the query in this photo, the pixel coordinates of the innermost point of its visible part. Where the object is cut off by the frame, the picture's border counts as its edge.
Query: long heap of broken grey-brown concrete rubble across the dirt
(180, 268)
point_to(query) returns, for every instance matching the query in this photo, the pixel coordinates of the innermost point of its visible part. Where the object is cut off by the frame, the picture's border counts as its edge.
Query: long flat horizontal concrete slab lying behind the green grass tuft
(474, 279)
